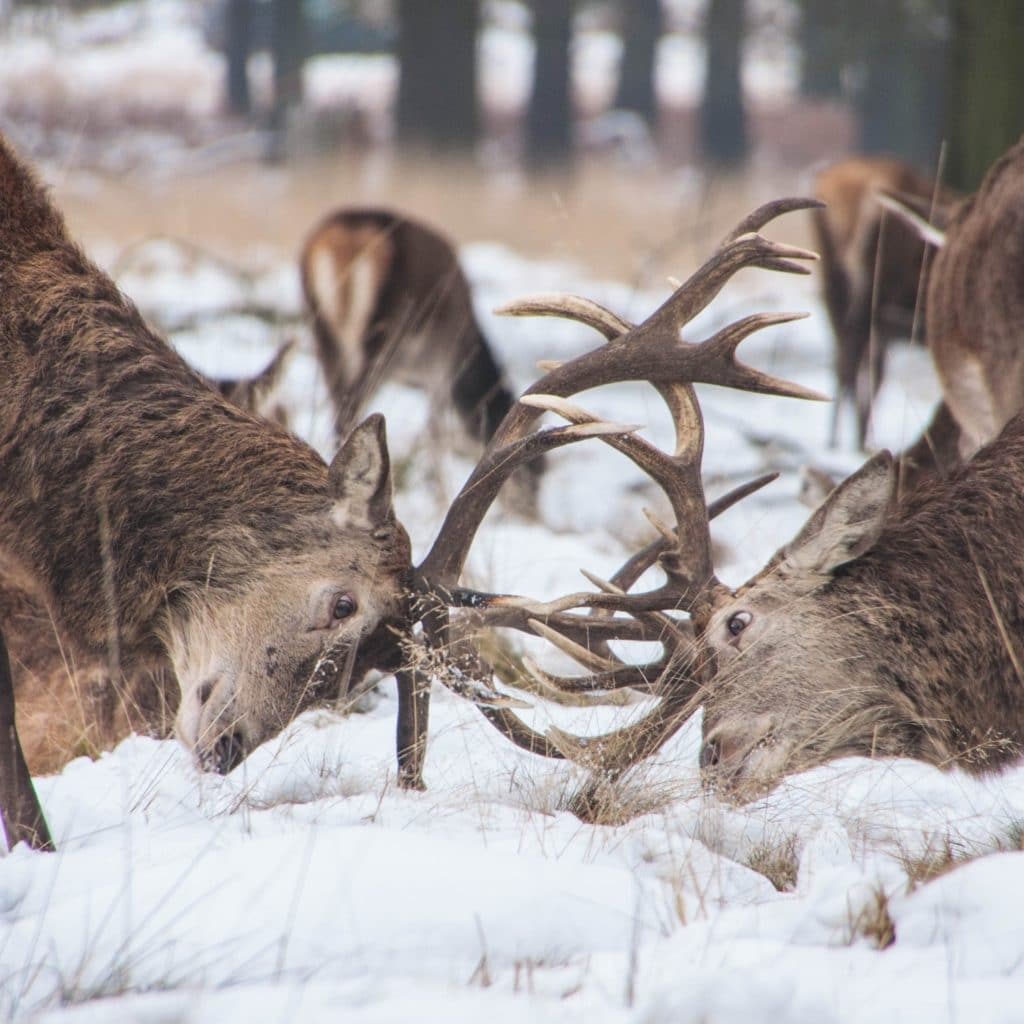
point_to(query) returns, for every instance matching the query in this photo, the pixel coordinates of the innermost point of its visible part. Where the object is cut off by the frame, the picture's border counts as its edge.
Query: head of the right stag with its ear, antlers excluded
(787, 655)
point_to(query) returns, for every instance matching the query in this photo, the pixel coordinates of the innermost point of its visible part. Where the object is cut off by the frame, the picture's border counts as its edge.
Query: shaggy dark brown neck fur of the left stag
(126, 483)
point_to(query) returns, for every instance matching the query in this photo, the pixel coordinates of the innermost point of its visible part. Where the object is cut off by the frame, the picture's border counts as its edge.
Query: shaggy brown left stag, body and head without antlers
(165, 532)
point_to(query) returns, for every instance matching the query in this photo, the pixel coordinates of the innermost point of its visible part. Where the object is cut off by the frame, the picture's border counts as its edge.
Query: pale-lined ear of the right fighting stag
(848, 523)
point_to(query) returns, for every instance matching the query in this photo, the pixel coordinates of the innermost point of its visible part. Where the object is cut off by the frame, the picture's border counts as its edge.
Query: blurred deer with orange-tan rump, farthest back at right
(873, 269)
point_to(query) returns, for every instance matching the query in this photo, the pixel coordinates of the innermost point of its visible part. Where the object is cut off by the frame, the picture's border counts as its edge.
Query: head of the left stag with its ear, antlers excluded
(312, 618)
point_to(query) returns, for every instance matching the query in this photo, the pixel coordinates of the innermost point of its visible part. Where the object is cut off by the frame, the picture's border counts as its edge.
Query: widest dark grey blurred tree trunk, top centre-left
(438, 93)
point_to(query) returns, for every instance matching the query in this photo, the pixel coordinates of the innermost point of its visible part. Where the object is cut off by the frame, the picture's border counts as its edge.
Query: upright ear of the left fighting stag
(360, 477)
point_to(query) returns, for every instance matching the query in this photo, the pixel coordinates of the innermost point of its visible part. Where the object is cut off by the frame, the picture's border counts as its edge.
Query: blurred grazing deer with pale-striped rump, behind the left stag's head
(390, 302)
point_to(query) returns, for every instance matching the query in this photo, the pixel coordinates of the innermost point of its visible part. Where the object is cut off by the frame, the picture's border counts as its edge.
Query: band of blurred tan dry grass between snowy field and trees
(627, 224)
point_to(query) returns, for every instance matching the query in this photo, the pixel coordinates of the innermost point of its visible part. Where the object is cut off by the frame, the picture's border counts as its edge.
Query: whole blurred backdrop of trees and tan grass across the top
(656, 122)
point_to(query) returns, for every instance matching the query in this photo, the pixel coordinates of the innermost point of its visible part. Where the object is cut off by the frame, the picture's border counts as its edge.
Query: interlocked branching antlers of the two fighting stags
(653, 352)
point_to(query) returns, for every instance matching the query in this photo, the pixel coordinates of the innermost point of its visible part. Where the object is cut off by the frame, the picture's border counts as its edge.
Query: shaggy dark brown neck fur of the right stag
(941, 599)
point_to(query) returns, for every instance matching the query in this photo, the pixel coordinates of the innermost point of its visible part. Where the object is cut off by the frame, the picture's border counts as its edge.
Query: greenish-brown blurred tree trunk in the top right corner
(987, 114)
